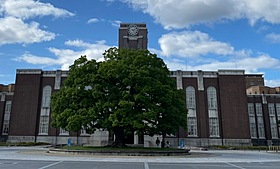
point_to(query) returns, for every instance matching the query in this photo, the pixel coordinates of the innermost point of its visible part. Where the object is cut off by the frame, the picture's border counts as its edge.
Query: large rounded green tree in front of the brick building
(131, 92)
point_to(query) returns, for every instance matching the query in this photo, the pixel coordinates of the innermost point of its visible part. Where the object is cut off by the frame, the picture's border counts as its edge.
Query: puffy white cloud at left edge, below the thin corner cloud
(13, 30)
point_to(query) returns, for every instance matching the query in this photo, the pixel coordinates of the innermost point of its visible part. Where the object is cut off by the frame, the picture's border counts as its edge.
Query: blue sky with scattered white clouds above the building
(187, 34)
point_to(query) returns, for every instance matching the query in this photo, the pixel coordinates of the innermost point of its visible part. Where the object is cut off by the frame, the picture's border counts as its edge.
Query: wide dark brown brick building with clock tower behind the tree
(220, 110)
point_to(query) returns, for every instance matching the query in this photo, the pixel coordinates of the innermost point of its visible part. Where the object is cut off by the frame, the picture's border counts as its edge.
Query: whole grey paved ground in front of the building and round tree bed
(11, 159)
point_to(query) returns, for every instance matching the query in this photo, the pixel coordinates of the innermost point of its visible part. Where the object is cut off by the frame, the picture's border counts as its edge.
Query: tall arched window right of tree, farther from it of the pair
(213, 112)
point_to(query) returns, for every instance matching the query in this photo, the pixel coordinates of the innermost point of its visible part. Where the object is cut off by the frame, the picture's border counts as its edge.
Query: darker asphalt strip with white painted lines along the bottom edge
(35, 164)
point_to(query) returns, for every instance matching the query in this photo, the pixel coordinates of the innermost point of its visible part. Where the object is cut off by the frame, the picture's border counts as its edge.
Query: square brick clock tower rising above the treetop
(133, 36)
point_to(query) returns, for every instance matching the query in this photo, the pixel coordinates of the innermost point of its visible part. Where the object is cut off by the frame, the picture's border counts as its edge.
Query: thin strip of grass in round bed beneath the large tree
(127, 148)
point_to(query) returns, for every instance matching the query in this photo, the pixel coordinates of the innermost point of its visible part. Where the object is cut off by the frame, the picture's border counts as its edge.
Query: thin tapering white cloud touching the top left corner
(25, 9)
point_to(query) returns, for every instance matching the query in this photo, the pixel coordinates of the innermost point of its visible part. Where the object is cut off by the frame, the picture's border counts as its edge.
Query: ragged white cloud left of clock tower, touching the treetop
(66, 57)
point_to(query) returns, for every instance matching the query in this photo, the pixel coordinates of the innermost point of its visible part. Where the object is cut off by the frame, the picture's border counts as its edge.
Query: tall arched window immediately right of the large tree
(191, 105)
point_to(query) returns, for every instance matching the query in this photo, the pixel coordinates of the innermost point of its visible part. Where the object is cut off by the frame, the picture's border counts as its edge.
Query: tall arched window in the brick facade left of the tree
(45, 110)
